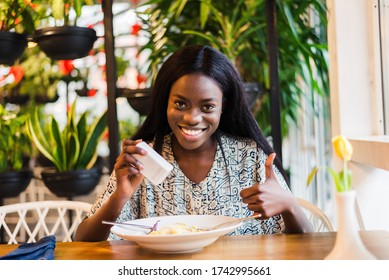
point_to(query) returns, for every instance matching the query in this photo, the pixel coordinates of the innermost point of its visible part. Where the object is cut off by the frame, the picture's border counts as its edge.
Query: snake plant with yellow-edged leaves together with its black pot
(72, 150)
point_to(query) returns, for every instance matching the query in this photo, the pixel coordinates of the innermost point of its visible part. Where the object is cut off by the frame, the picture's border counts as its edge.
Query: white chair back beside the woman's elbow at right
(319, 220)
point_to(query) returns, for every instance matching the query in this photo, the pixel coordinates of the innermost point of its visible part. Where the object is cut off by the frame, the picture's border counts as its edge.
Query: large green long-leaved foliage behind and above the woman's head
(238, 29)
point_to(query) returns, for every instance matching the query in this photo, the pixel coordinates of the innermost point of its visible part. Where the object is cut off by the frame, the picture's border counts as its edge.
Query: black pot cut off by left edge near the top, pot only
(12, 45)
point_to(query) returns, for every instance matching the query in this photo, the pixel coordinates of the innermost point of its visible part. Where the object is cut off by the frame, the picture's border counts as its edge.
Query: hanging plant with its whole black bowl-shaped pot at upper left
(66, 40)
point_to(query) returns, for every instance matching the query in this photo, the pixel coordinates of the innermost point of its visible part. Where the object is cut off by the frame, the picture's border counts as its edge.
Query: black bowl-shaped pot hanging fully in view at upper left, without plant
(65, 42)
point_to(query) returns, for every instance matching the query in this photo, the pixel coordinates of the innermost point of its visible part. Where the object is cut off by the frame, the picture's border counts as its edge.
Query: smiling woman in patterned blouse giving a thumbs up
(200, 122)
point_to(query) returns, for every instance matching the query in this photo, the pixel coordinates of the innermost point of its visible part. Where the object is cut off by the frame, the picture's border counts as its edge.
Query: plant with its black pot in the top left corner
(18, 18)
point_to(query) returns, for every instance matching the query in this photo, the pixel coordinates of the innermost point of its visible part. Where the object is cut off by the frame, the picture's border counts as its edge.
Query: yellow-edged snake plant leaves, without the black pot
(75, 147)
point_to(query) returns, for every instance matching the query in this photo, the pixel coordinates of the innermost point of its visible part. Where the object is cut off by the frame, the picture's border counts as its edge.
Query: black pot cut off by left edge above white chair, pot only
(14, 182)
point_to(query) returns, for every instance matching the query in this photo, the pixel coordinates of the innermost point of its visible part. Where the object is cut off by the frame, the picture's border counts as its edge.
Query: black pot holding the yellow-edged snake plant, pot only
(71, 183)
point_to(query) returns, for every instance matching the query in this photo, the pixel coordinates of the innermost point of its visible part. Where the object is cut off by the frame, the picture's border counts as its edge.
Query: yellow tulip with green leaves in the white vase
(344, 151)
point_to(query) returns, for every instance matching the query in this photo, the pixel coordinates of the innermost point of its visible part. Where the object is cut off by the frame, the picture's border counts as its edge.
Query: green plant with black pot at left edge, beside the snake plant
(15, 146)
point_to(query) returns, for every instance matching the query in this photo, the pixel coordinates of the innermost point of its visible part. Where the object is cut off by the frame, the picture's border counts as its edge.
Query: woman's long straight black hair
(236, 119)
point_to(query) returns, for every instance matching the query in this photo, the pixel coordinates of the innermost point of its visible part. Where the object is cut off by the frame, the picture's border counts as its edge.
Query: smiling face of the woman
(194, 109)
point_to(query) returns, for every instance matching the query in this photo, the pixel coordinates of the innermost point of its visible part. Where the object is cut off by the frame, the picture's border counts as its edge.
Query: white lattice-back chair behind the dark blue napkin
(29, 221)
